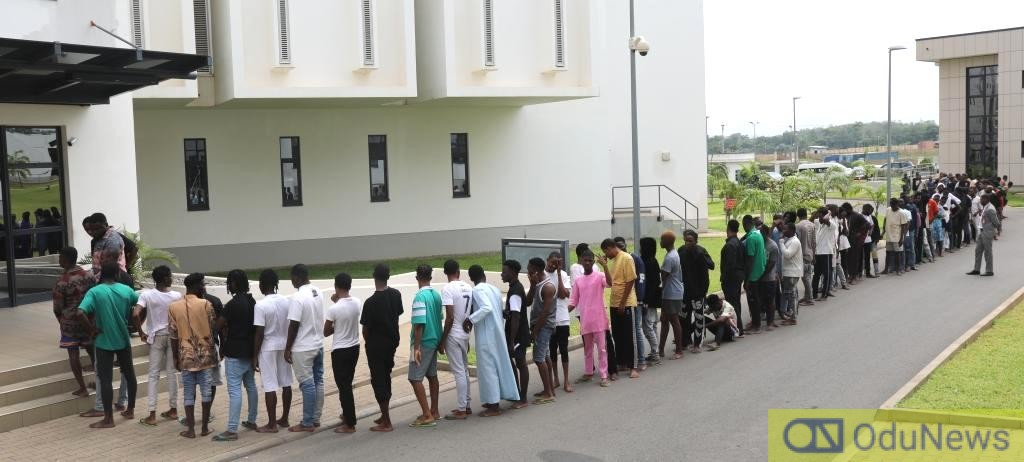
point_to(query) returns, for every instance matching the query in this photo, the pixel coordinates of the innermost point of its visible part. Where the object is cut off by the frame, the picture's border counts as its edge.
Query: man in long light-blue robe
(494, 371)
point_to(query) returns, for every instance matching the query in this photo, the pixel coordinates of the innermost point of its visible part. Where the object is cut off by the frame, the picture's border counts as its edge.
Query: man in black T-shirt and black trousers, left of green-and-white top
(380, 333)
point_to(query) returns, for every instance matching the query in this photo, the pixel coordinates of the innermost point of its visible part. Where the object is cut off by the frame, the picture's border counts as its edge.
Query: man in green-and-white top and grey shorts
(426, 335)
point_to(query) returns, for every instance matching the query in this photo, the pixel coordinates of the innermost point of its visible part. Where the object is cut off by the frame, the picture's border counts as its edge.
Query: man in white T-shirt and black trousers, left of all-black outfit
(344, 323)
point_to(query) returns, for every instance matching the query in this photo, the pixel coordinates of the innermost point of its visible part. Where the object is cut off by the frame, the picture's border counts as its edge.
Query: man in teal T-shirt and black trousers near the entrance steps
(111, 304)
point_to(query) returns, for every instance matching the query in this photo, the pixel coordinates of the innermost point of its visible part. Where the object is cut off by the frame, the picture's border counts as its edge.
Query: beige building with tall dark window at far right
(982, 102)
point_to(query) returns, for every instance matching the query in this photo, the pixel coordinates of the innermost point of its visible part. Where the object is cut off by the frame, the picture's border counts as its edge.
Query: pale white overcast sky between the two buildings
(759, 55)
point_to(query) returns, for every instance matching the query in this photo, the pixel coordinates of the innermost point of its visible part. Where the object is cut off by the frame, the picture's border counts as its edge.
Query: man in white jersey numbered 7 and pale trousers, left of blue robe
(457, 298)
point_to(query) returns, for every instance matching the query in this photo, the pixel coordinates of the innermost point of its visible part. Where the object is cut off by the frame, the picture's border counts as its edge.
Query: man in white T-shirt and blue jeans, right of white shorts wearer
(305, 349)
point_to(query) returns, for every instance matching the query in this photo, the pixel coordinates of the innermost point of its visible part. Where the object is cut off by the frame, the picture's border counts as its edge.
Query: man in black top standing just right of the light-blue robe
(518, 328)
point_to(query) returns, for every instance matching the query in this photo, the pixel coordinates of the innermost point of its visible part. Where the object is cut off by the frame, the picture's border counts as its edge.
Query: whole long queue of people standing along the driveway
(282, 338)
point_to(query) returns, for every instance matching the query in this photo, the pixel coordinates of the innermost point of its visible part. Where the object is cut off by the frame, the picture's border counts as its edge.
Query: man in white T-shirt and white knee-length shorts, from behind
(271, 320)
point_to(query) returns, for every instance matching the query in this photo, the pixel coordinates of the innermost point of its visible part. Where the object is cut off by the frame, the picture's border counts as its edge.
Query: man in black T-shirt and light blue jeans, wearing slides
(235, 325)
